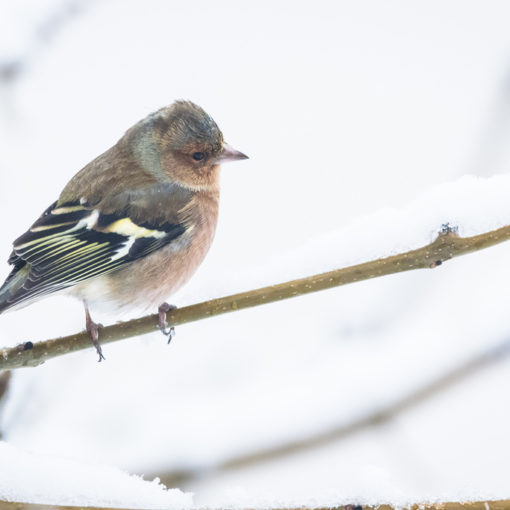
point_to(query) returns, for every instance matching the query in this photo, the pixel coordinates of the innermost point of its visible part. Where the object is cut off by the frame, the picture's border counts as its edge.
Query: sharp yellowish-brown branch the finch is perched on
(446, 246)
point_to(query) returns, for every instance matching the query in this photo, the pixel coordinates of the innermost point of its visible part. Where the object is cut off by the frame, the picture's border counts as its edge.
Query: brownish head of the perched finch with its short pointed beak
(183, 143)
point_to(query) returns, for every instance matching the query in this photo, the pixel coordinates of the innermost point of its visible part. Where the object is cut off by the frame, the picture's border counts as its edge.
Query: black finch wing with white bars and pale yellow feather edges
(72, 242)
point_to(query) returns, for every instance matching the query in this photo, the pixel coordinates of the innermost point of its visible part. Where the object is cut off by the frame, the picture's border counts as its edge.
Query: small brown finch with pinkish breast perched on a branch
(131, 227)
